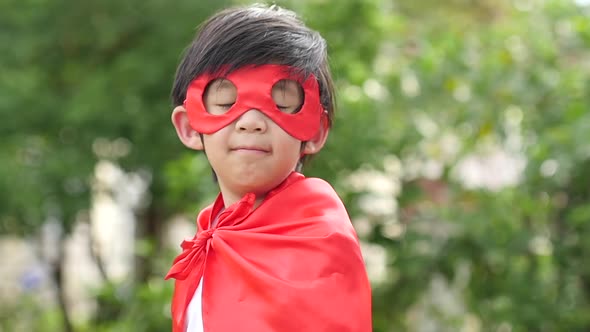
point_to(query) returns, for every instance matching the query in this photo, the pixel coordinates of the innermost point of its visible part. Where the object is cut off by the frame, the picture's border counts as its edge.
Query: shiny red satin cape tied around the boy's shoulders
(291, 265)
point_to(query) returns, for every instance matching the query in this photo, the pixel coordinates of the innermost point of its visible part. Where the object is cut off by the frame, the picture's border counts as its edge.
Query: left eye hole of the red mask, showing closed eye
(219, 96)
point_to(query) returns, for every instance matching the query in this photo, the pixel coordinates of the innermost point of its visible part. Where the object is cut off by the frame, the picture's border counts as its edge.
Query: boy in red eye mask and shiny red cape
(276, 251)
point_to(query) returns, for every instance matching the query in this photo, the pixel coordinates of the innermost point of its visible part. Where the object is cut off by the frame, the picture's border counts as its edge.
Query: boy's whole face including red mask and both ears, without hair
(247, 149)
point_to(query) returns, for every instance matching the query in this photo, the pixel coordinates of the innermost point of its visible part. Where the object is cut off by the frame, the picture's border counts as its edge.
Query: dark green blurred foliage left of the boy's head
(82, 82)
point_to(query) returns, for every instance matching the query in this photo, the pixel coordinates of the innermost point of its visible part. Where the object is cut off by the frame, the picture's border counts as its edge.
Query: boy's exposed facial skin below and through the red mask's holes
(251, 154)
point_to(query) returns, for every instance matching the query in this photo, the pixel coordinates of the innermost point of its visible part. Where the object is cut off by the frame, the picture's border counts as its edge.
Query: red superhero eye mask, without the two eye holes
(254, 91)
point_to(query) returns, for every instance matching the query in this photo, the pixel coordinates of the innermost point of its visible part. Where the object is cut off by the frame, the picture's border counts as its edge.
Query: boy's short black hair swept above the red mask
(255, 35)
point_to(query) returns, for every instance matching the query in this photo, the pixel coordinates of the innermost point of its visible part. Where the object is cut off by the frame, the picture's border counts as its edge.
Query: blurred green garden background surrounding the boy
(461, 148)
